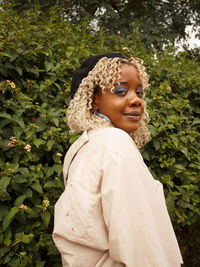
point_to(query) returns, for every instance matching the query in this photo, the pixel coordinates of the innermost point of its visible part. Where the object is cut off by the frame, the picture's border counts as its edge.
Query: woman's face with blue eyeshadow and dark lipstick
(124, 106)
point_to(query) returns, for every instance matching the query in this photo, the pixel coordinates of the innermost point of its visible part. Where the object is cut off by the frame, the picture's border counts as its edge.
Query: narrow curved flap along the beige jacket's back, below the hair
(73, 150)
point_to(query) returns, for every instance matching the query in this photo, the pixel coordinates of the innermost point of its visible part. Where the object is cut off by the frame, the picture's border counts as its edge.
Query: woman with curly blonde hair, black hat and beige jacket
(112, 212)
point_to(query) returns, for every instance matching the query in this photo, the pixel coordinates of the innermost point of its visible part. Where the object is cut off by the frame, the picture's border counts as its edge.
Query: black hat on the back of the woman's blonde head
(86, 67)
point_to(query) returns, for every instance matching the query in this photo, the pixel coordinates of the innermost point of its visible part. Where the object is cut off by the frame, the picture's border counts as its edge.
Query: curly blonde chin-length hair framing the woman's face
(105, 74)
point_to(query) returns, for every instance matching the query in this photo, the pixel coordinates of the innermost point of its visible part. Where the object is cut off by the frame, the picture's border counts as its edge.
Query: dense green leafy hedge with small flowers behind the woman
(38, 55)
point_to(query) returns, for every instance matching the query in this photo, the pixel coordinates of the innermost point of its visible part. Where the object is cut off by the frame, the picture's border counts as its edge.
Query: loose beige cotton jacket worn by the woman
(112, 212)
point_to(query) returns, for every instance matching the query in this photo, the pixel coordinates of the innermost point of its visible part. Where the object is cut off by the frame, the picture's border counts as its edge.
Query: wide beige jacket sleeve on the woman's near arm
(139, 229)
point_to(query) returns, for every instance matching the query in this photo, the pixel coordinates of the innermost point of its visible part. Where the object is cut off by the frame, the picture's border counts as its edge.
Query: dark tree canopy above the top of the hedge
(160, 22)
